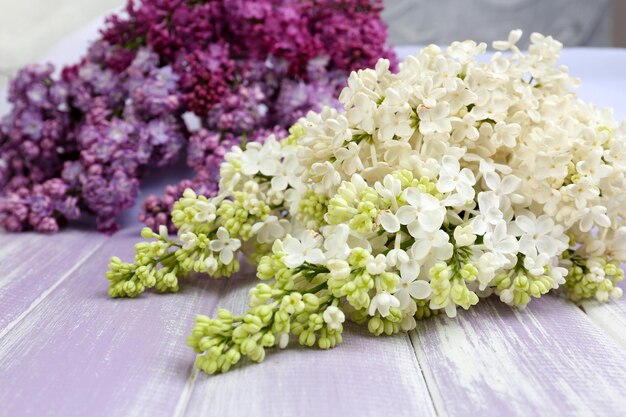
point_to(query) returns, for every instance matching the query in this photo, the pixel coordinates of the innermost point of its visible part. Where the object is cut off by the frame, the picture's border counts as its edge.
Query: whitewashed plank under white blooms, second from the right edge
(549, 359)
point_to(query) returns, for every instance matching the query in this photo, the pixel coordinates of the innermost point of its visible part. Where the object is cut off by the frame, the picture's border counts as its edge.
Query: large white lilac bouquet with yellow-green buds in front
(436, 186)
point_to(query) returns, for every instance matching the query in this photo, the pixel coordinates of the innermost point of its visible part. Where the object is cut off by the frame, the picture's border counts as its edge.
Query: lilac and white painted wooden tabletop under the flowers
(66, 349)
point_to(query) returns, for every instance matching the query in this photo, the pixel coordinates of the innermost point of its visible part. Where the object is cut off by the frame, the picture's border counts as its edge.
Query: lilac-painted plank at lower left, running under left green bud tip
(79, 353)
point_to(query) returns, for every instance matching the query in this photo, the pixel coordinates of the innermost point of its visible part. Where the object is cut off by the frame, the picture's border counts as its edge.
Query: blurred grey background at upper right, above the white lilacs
(573, 22)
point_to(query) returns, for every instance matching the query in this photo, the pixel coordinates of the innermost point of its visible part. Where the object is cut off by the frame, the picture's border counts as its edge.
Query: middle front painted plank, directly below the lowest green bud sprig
(364, 376)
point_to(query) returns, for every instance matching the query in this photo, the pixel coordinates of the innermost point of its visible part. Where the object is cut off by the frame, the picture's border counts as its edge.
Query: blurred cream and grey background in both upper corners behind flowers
(30, 27)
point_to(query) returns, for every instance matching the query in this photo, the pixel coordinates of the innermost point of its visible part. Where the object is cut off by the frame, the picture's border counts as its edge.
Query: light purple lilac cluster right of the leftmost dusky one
(131, 123)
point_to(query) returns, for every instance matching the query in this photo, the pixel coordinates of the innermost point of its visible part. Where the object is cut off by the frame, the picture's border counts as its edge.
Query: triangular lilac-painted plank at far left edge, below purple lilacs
(34, 264)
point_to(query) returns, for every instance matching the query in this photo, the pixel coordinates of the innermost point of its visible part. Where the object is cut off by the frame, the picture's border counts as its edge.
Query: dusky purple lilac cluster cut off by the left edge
(35, 138)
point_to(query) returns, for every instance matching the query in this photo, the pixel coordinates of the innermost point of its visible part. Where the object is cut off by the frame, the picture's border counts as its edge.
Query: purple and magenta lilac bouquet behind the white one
(165, 74)
